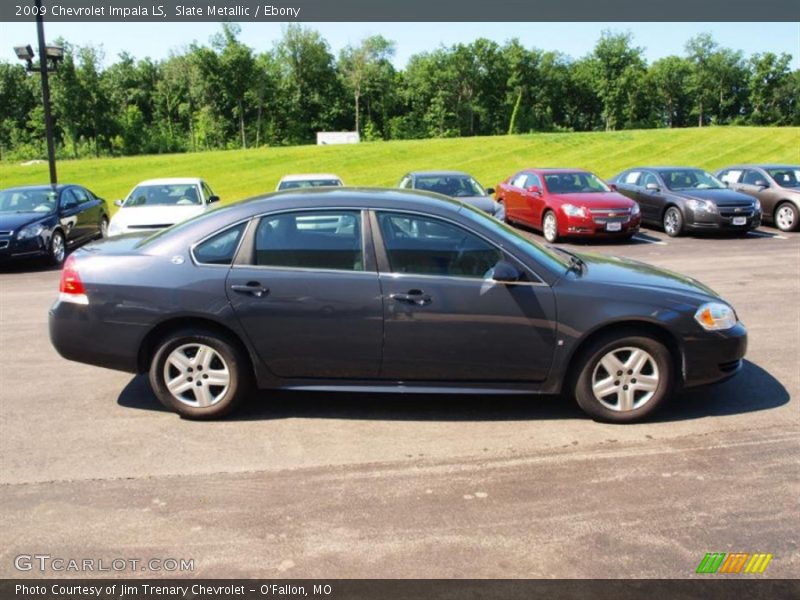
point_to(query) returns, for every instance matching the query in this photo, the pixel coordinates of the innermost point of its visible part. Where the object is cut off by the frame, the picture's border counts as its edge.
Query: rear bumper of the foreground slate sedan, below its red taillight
(77, 335)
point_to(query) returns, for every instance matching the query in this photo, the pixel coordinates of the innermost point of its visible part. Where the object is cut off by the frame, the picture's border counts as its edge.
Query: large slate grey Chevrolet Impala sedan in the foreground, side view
(379, 290)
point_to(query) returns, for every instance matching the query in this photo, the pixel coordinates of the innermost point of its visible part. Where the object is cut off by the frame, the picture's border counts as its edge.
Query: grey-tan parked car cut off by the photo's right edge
(777, 187)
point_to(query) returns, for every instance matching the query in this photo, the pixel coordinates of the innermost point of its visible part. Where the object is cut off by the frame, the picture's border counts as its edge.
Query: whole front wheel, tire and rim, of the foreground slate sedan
(622, 379)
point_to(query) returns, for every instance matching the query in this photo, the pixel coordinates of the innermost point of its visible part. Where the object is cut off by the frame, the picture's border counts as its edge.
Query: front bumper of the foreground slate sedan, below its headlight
(713, 356)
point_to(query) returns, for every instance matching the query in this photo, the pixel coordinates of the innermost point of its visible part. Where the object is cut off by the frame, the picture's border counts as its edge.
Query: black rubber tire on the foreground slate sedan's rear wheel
(224, 398)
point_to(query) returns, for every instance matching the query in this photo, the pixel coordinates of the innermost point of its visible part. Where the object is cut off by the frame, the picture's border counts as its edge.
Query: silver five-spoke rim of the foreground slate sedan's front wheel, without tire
(625, 379)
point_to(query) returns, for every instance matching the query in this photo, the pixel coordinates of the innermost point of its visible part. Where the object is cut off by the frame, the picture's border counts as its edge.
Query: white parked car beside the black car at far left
(160, 203)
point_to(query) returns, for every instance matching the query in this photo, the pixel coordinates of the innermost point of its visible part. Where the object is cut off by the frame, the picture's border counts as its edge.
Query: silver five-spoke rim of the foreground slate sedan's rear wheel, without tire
(196, 375)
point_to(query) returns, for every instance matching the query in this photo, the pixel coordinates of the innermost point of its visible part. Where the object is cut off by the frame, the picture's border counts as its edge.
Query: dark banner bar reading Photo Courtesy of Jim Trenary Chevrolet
(708, 587)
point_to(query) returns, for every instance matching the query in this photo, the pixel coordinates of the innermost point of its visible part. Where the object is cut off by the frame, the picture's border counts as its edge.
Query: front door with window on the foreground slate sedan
(445, 318)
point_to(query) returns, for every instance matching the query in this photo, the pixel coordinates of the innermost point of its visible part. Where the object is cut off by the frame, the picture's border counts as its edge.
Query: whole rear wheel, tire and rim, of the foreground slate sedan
(199, 374)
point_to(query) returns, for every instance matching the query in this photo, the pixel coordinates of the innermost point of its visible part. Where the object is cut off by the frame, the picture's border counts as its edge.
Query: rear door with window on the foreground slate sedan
(307, 294)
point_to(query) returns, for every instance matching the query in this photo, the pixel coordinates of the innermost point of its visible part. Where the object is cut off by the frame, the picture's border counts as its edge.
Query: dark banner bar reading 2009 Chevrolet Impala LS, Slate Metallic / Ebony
(403, 11)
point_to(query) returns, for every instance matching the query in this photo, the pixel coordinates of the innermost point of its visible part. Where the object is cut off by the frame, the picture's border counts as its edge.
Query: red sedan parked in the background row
(567, 202)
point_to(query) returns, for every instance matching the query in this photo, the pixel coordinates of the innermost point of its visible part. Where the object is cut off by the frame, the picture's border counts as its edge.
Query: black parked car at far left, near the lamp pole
(40, 221)
